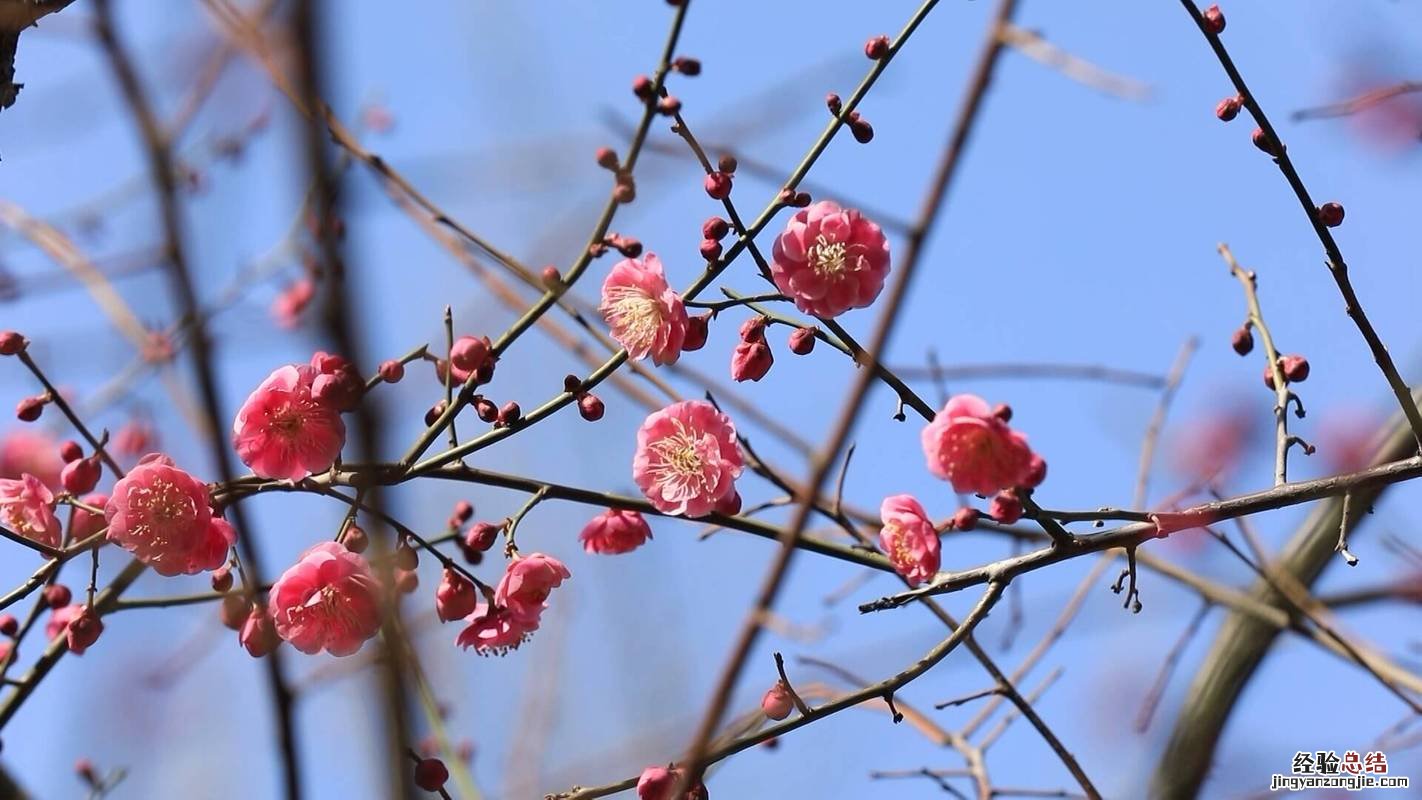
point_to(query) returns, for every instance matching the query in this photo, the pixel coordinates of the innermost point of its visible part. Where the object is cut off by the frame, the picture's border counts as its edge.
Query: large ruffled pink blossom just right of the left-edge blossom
(163, 517)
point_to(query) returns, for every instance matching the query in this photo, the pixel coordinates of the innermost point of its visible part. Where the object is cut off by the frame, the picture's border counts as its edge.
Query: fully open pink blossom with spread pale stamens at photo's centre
(688, 458)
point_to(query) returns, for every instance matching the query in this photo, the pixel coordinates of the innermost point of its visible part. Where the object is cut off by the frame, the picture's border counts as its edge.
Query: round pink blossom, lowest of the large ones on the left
(328, 600)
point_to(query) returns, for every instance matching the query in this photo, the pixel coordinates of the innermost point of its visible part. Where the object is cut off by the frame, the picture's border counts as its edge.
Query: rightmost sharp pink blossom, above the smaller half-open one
(975, 450)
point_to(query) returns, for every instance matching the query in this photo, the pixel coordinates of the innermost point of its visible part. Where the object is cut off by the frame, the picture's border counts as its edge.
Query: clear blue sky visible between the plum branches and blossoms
(1081, 229)
